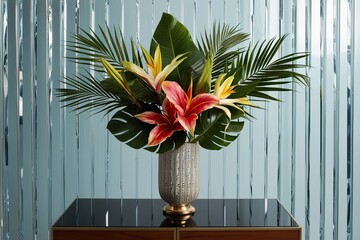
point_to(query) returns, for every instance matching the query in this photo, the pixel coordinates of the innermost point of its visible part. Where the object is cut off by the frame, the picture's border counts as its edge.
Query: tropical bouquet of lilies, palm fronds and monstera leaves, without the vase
(180, 91)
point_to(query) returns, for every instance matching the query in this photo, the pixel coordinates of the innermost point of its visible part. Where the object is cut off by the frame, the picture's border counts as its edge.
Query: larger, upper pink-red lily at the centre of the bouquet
(186, 106)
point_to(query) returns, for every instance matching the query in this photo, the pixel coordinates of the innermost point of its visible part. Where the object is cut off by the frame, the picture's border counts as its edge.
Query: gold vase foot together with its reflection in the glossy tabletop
(178, 214)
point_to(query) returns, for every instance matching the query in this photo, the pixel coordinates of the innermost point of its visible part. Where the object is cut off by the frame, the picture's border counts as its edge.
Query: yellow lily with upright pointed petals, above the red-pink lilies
(156, 74)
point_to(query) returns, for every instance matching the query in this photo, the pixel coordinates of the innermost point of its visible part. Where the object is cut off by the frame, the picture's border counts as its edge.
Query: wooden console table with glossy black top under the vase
(105, 219)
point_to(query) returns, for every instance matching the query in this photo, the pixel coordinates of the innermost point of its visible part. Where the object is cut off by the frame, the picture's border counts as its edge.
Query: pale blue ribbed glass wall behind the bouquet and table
(303, 151)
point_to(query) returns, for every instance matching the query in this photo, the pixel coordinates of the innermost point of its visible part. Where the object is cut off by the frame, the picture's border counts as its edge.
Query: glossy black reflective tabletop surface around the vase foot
(148, 213)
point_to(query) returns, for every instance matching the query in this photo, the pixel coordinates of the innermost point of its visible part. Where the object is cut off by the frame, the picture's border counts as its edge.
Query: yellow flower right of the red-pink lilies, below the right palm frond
(223, 90)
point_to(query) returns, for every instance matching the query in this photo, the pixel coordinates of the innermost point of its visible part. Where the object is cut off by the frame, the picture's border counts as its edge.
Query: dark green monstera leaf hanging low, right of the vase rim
(215, 131)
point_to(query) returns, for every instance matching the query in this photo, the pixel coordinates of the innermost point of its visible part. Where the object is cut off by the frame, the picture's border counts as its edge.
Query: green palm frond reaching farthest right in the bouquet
(258, 69)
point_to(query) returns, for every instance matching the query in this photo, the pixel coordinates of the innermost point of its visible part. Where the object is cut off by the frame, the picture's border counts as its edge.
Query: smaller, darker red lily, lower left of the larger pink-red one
(166, 123)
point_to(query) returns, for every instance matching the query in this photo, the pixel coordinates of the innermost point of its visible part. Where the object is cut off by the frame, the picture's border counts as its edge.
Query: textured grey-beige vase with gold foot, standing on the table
(179, 178)
